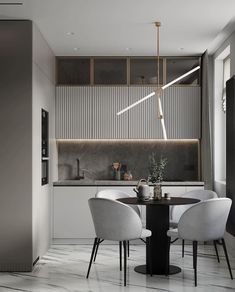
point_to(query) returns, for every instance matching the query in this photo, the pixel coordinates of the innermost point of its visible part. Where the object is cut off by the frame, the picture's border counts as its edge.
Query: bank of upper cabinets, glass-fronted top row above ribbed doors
(113, 83)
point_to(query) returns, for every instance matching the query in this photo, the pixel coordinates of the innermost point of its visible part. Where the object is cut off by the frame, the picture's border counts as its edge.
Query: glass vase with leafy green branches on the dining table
(156, 174)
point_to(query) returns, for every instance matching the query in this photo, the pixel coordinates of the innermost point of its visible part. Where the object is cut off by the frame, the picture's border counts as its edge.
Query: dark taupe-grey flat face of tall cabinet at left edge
(16, 145)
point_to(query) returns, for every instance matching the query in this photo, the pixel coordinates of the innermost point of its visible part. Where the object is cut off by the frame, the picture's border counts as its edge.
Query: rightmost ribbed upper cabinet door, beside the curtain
(182, 111)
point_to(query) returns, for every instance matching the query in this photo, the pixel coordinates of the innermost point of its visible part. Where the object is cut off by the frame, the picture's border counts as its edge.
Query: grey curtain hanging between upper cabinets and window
(206, 140)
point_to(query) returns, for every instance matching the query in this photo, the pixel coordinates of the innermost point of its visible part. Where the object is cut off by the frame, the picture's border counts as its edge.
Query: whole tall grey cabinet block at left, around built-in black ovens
(26, 87)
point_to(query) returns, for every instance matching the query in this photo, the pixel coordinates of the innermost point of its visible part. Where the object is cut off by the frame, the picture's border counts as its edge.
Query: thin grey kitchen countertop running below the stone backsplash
(121, 183)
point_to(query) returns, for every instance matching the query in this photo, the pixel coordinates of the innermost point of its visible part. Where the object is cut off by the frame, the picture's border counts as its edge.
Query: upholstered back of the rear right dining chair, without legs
(202, 195)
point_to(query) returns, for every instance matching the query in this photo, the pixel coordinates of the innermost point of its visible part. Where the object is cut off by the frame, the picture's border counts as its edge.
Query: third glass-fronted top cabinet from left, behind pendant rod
(144, 71)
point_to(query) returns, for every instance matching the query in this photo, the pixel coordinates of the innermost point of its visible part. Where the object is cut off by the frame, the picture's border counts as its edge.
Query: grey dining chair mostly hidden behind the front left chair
(115, 194)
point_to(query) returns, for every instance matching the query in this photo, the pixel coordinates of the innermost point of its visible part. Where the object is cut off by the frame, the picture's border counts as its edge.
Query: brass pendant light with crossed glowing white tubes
(159, 89)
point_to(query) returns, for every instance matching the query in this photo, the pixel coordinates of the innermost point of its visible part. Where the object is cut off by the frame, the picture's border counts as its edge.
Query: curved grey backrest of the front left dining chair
(114, 220)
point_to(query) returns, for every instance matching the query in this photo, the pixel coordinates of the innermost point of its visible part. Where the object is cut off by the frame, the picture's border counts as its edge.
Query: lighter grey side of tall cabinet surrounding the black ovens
(43, 97)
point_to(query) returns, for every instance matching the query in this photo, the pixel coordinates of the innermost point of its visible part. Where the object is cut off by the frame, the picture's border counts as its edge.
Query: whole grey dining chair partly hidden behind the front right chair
(177, 211)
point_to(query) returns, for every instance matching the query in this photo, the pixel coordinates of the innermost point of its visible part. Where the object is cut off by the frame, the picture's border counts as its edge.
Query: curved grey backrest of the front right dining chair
(205, 221)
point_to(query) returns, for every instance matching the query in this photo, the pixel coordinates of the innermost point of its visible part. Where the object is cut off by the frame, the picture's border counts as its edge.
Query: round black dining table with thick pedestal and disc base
(157, 220)
